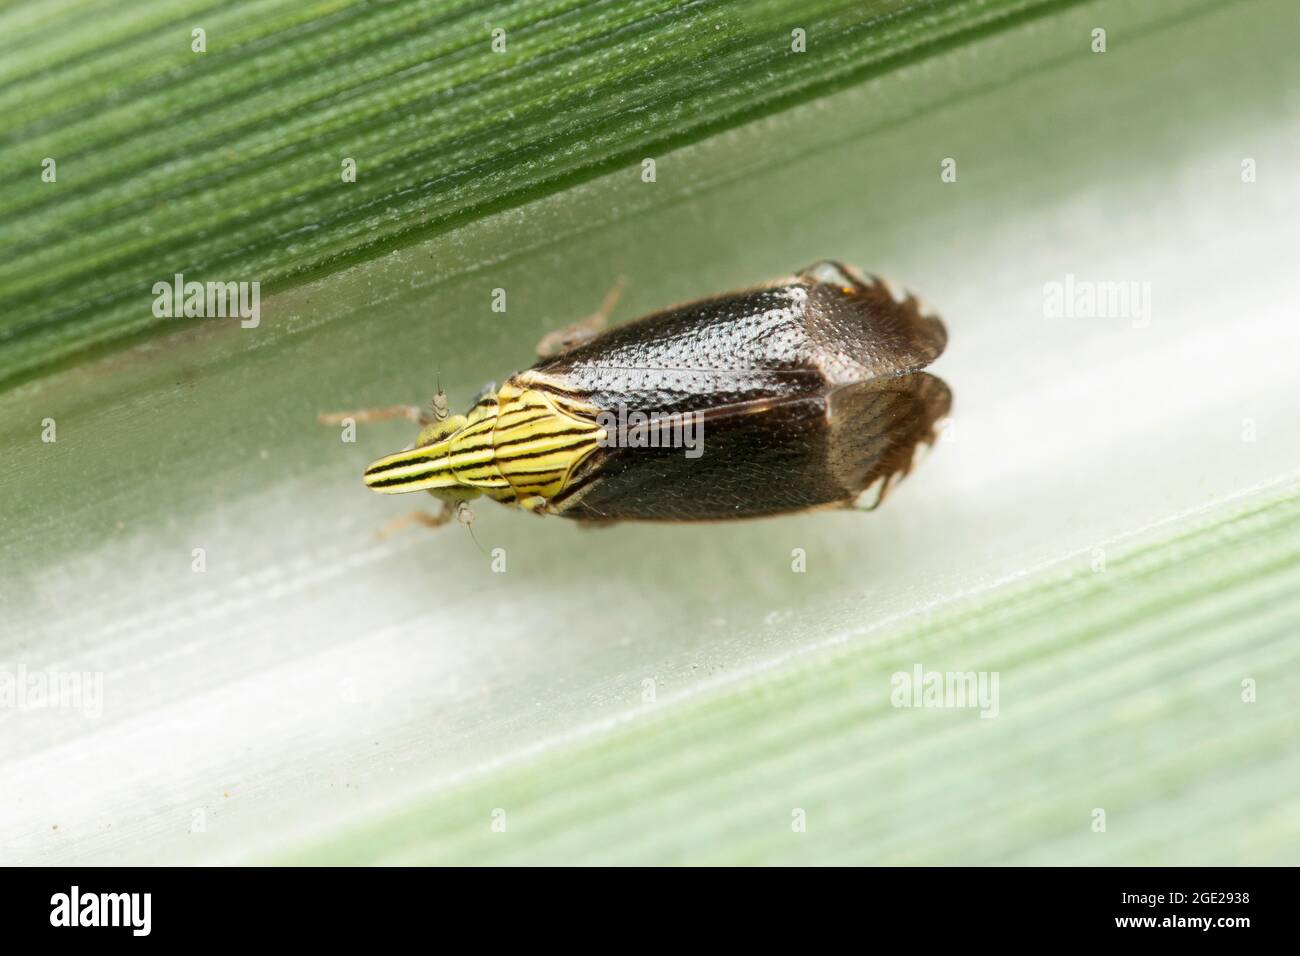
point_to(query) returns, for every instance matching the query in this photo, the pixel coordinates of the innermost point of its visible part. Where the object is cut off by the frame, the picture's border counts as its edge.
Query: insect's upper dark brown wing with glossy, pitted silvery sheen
(800, 338)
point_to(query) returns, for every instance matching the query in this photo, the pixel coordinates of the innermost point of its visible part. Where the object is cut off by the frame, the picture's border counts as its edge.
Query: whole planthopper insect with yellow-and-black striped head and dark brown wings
(807, 393)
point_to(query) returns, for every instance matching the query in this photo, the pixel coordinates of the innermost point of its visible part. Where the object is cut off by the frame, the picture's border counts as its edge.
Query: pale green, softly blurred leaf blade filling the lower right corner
(1125, 686)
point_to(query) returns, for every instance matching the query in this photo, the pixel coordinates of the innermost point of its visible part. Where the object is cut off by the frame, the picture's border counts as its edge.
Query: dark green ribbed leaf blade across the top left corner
(227, 165)
